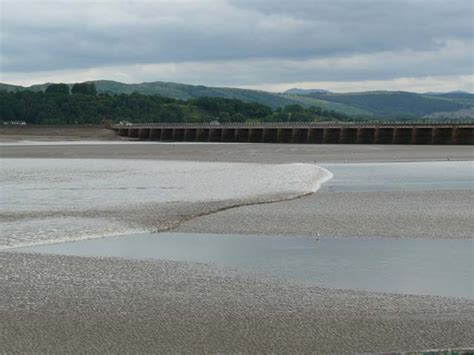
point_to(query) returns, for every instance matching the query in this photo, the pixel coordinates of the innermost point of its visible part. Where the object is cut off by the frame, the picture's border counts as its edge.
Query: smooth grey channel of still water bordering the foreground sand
(410, 266)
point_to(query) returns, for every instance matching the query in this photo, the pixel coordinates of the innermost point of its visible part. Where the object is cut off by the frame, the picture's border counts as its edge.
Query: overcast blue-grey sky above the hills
(274, 45)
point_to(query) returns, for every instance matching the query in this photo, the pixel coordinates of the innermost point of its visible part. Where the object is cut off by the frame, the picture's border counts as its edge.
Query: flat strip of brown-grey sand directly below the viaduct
(259, 153)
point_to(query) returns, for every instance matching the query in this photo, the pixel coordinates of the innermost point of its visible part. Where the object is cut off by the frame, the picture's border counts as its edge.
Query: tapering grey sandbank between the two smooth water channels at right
(416, 214)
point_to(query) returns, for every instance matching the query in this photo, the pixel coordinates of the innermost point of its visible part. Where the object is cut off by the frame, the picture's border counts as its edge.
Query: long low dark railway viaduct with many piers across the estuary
(304, 133)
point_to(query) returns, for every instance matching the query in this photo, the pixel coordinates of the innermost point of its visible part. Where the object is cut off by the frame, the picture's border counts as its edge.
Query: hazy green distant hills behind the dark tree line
(371, 105)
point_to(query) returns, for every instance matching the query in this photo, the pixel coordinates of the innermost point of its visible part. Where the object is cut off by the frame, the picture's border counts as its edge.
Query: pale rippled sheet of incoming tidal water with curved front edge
(46, 200)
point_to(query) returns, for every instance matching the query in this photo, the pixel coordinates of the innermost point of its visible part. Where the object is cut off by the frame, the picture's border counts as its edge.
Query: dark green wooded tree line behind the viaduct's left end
(82, 104)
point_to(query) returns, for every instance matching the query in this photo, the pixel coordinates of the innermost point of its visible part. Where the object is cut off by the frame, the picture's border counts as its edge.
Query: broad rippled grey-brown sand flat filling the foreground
(68, 304)
